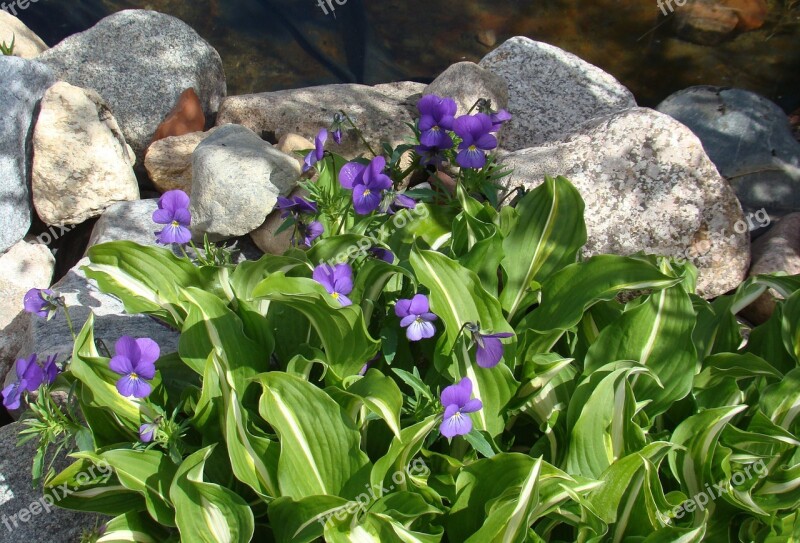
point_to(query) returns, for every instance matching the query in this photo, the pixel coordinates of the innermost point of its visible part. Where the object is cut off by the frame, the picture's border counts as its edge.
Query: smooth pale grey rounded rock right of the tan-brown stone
(237, 178)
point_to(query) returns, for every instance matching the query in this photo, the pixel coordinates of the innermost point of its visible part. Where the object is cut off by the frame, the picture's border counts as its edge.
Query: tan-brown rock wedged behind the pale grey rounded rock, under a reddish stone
(169, 161)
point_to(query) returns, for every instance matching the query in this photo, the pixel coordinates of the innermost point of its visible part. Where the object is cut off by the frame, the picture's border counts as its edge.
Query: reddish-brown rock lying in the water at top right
(710, 22)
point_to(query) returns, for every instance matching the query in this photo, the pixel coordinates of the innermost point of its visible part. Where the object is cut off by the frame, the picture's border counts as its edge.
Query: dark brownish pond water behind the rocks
(278, 44)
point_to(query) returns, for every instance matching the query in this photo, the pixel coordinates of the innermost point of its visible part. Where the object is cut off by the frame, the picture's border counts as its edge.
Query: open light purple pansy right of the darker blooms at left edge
(135, 361)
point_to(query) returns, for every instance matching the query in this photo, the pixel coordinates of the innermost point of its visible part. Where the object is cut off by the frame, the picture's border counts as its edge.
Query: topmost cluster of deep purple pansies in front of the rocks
(477, 132)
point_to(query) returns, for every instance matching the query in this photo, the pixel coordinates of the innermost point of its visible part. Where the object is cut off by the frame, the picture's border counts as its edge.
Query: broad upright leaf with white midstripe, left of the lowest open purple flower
(312, 462)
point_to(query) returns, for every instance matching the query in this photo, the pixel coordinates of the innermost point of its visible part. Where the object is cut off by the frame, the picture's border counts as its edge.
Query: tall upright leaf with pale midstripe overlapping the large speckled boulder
(547, 236)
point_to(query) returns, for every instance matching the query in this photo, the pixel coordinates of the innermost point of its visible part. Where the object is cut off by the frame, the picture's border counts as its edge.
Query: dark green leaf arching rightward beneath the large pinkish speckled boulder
(567, 294)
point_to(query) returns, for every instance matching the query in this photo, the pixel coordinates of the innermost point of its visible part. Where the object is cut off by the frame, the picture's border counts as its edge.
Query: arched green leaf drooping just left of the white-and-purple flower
(348, 345)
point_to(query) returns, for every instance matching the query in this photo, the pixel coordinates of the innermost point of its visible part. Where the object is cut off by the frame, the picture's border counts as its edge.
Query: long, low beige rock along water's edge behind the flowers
(379, 112)
